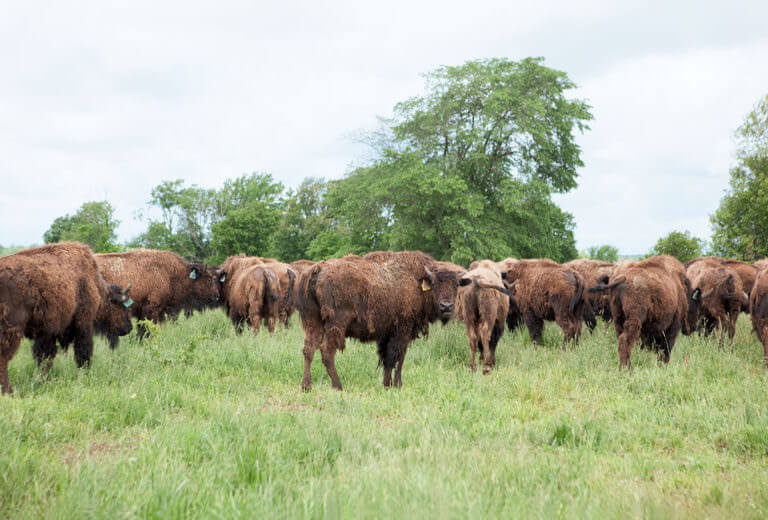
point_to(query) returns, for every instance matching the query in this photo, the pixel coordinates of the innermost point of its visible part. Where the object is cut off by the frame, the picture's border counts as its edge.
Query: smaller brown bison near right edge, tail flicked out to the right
(722, 297)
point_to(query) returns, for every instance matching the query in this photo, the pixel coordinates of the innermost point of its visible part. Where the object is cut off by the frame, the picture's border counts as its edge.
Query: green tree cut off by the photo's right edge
(740, 223)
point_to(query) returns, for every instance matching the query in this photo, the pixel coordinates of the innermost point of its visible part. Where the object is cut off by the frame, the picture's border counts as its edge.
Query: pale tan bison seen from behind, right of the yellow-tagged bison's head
(482, 303)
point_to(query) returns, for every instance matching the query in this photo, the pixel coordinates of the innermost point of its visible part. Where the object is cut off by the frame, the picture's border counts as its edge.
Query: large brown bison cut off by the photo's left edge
(56, 293)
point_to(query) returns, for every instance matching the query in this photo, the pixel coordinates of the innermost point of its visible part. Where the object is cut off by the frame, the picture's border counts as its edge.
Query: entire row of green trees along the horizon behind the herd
(465, 171)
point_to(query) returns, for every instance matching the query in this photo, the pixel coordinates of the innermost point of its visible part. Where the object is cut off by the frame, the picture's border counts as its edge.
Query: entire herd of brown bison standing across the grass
(60, 294)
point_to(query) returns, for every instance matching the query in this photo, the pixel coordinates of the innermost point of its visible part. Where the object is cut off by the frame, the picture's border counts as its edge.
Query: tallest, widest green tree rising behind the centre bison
(467, 170)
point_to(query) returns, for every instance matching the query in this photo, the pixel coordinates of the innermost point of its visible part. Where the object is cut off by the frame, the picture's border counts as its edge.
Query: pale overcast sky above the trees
(104, 100)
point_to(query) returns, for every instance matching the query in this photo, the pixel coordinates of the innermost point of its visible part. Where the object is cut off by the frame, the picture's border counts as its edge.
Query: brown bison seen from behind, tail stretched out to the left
(651, 300)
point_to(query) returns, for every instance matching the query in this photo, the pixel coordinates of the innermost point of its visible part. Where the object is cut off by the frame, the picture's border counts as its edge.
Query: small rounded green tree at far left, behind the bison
(93, 223)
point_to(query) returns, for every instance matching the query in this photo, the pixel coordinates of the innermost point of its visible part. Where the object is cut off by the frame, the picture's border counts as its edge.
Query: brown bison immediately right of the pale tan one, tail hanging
(545, 290)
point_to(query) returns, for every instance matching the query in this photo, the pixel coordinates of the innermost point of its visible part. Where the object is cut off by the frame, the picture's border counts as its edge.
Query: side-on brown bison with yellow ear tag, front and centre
(390, 301)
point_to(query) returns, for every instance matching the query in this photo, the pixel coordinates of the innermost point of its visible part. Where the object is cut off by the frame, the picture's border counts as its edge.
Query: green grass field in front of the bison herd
(200, 422)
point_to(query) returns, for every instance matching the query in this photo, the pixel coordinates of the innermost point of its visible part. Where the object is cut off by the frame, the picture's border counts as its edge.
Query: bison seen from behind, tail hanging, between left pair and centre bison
(253, 297)
